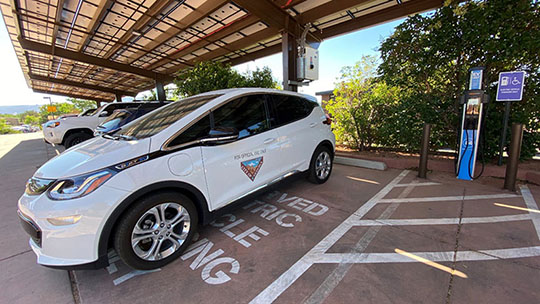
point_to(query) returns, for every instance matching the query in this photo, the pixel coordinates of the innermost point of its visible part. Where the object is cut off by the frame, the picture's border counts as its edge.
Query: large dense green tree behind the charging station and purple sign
(428, 58)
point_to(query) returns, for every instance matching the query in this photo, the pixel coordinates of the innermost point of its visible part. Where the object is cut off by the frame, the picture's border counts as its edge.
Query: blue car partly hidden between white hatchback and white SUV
(123, 116)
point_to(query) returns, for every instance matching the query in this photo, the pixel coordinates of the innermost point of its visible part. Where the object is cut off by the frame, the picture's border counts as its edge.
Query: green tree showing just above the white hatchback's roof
(209, 76)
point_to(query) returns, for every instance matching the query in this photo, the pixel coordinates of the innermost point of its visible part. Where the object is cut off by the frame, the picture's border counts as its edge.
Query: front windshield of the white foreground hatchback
(158, 120)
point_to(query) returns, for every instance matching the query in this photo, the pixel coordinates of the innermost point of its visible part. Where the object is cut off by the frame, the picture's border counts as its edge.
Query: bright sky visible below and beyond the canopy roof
(334, 54)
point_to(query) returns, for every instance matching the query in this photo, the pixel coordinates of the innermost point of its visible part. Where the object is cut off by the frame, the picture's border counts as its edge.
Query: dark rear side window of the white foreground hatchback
(287, 109)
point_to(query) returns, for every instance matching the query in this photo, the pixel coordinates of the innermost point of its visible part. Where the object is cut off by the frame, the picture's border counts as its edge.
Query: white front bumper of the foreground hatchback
(68, 246)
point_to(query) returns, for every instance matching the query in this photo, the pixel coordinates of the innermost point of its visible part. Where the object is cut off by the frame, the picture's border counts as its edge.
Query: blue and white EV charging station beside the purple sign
(472, 100)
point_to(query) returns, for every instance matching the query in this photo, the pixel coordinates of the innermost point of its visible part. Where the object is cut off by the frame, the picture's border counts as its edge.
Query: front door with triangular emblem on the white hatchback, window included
(237, 168)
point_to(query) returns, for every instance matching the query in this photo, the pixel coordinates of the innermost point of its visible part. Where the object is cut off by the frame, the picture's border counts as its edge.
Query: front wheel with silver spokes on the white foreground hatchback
(140, 254)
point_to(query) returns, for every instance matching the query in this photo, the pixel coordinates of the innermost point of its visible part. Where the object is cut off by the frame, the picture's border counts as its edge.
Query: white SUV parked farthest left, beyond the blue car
(69, 131)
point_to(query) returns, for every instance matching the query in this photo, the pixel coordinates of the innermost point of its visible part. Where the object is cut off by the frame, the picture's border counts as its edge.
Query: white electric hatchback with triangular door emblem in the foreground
(145, 188)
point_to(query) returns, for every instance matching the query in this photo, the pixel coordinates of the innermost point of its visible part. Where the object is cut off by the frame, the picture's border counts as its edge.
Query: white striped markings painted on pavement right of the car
(318, 253)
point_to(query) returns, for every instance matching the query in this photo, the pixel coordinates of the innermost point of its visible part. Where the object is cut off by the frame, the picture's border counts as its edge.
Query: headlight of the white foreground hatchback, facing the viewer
(79, 186)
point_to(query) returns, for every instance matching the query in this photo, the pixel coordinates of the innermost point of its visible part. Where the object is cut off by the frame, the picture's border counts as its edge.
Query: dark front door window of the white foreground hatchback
(246, 114)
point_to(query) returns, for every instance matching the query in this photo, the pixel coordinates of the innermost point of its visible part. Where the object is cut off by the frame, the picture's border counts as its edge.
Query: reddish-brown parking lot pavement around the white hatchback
(364, 236)
